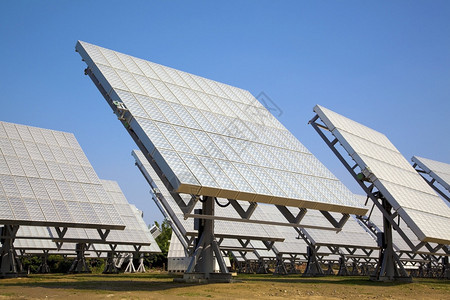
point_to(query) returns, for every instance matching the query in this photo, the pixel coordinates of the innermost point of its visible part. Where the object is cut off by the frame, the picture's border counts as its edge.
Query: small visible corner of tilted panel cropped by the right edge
(434, 172)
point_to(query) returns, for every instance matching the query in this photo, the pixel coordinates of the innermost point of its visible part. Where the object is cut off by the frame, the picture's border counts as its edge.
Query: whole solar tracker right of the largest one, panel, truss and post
(390, 182)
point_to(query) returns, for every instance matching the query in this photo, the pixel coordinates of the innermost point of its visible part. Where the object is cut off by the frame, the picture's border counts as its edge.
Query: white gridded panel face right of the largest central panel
(381, 163)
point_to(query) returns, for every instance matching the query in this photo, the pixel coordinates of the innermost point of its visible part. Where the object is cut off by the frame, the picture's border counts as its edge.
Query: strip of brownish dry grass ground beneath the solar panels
(161, 286)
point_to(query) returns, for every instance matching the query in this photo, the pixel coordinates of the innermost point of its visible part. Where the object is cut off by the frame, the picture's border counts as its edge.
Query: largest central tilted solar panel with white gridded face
(212, 139)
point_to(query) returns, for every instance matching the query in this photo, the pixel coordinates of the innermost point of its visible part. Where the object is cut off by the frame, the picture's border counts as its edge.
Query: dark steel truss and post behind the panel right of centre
(389, 265)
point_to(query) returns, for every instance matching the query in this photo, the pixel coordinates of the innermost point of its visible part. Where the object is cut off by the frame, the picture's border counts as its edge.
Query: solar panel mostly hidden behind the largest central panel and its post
(222, 228)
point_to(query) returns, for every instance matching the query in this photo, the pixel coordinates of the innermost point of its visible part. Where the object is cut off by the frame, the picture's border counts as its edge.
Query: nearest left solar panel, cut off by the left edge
(46, 179)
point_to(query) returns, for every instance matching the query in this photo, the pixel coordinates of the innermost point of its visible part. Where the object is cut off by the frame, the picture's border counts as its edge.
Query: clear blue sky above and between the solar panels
(385, 64)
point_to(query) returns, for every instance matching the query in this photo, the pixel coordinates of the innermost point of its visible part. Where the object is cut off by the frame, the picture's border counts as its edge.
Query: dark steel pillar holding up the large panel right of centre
(389, 267)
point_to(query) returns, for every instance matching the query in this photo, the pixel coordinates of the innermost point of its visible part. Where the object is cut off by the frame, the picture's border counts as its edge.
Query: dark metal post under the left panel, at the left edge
(10, 265)
